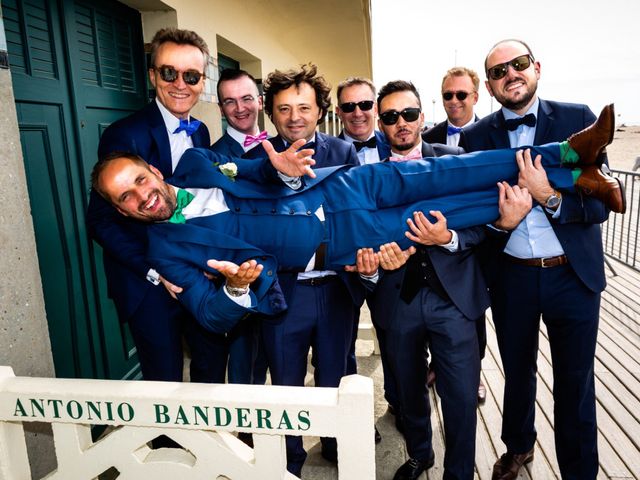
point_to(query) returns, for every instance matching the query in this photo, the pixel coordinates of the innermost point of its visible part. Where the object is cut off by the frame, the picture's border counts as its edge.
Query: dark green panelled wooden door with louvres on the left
(76, 67)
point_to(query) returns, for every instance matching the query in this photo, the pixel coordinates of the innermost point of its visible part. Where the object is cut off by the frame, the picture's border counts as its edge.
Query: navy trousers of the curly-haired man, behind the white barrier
(320, 317)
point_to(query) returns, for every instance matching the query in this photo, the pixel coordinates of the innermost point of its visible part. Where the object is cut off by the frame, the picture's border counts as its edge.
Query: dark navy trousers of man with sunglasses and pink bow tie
(429, 321)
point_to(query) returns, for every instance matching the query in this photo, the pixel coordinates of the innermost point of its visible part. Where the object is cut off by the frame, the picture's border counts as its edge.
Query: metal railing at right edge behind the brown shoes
(620, 232)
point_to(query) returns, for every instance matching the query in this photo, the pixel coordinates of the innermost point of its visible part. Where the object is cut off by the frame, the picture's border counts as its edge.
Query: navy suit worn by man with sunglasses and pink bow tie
(412, 315)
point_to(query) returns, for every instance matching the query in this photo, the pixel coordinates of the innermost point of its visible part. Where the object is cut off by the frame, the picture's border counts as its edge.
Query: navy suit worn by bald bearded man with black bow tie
(568, 299)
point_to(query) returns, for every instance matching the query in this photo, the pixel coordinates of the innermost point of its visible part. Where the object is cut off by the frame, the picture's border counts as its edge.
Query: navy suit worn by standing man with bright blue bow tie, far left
(157, 321)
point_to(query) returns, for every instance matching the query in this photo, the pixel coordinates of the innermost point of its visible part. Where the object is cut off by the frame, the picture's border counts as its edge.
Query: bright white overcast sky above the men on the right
(589, 50)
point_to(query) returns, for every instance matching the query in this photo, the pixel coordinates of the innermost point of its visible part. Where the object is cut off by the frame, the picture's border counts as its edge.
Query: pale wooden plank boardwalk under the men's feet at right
(617, 387)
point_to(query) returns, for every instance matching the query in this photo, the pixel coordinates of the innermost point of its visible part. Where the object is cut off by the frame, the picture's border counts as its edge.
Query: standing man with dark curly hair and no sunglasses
(323, 303)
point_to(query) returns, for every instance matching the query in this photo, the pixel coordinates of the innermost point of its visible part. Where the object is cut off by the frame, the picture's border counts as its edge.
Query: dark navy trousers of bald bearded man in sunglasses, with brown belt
(522, 295)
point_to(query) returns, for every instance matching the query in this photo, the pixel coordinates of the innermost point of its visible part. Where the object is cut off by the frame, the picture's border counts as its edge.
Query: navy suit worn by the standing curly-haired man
(319, 316)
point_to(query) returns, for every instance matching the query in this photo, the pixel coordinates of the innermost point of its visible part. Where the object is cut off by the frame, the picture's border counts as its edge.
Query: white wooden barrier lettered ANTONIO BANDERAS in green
(198, 417)
